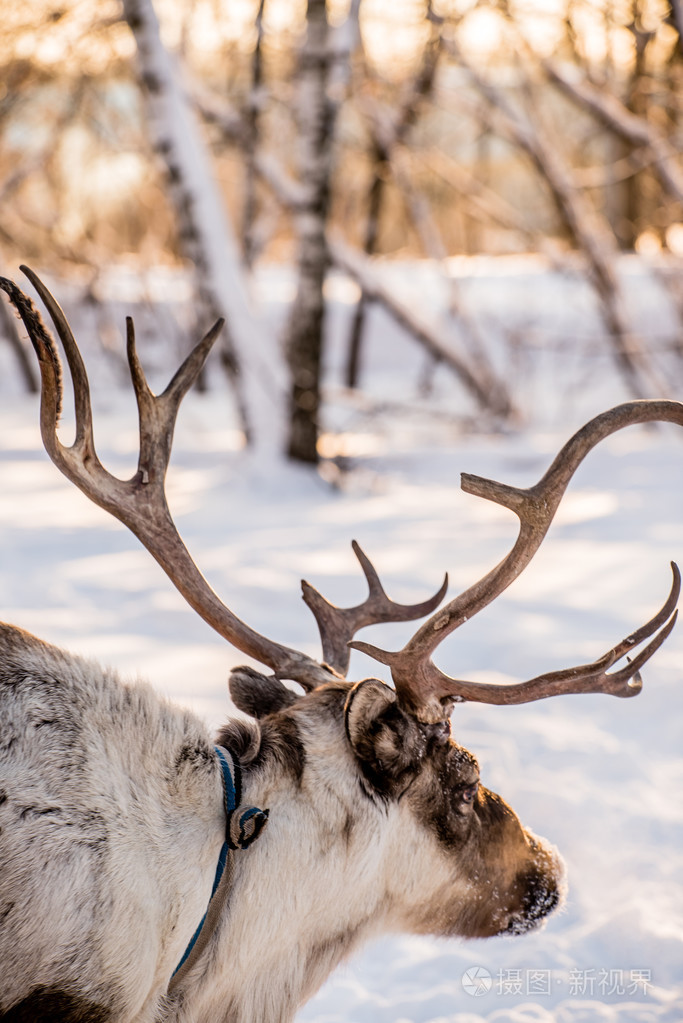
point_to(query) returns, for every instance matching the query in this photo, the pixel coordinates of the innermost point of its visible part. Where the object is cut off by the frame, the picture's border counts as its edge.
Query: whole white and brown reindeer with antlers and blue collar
(116, 808)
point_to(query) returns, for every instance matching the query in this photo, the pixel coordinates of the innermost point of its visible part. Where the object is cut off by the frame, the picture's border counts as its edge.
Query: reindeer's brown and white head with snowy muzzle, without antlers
(456, 860)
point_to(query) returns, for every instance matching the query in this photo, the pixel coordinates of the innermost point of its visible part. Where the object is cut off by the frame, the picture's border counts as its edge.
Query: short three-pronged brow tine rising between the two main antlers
(339, 626)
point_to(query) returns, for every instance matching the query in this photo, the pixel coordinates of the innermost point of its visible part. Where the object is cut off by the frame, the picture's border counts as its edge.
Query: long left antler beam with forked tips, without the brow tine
(141, 503)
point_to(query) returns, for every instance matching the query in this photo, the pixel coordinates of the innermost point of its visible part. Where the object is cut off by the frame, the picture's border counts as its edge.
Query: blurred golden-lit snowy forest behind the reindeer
(183, 147)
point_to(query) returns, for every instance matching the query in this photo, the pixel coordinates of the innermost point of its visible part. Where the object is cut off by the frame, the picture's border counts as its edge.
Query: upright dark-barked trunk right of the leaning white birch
(304, 336)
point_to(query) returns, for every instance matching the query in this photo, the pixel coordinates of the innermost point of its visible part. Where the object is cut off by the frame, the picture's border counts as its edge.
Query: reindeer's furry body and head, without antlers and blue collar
(112, 821)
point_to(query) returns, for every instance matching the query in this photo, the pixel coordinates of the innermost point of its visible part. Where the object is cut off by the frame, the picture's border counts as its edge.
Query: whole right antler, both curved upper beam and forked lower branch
(428, 692)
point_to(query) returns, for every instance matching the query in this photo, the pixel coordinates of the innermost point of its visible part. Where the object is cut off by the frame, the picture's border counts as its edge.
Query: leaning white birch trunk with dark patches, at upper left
(206, 236)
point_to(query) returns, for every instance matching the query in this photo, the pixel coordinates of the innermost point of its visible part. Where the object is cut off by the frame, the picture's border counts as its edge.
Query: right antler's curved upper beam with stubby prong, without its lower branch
(421, 686)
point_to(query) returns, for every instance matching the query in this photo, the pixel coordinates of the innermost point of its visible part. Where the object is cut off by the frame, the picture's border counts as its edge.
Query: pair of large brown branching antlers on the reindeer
(423, 689)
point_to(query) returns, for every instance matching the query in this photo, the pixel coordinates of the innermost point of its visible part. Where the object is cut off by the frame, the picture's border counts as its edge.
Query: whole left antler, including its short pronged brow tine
(141, 503)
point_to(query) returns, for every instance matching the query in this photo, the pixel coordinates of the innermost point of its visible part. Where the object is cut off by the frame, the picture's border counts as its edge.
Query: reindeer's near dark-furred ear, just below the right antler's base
(387, 742)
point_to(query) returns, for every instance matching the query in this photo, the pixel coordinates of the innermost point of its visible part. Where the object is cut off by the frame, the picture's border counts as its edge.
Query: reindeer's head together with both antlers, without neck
(465, 865)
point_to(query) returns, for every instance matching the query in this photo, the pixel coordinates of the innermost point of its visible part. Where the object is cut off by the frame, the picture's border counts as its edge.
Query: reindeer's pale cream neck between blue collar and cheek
(304, 898)
